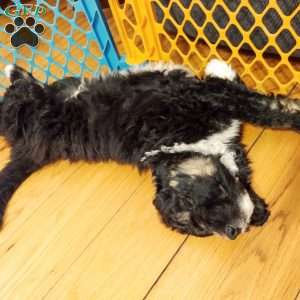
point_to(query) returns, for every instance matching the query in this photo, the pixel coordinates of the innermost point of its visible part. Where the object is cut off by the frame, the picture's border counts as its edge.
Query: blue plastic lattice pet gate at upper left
(73, 39)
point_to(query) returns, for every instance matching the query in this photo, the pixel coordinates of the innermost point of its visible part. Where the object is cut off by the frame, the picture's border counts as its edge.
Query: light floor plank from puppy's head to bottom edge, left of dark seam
(125, 258)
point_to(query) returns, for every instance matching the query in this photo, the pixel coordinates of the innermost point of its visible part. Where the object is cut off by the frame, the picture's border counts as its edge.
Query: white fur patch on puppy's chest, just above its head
(216, 144)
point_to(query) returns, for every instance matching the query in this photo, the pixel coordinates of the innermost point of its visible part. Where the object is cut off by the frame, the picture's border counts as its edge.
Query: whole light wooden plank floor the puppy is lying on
(90, 231)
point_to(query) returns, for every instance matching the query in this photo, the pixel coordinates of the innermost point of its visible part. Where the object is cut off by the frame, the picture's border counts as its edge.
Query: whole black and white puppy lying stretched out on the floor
(157, 116)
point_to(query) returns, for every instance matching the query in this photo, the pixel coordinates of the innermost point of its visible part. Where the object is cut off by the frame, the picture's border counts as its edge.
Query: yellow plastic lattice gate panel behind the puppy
(260, 38)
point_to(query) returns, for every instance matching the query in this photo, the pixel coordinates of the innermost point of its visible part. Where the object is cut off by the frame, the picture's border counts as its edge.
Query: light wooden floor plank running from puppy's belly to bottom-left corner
(71, 217)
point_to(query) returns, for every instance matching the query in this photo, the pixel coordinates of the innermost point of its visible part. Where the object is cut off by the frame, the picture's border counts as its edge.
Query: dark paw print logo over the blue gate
(24, 33)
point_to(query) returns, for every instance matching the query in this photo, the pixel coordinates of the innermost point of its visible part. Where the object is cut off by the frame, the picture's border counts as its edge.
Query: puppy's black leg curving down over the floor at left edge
(11, 177)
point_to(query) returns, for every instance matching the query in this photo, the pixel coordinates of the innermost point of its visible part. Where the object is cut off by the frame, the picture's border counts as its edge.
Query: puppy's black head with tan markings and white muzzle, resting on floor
(198, 195)
